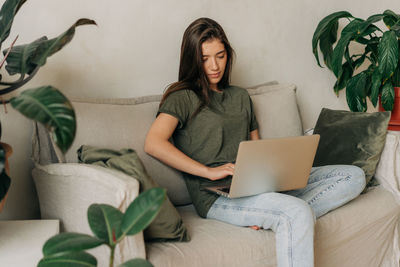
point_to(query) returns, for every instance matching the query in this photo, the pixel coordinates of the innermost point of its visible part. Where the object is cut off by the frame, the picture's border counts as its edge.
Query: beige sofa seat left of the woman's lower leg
(214, 243)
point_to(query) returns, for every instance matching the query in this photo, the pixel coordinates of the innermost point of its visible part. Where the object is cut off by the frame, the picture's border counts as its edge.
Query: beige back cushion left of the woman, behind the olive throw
(123, 123)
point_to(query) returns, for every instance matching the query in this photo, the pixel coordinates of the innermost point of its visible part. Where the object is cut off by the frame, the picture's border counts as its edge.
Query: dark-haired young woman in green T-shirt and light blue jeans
(207, 119)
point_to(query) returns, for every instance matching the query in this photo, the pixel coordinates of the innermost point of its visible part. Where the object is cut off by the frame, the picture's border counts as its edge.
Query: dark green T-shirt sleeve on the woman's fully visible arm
(179, 105)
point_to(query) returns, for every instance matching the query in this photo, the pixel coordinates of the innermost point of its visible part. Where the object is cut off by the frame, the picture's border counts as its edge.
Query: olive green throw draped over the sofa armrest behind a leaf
(168, 225)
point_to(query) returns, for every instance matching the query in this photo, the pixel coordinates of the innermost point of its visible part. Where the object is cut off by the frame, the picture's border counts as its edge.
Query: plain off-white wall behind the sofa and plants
(134, 51)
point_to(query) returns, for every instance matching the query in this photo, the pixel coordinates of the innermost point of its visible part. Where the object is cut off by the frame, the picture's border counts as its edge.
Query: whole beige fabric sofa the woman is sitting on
(362, 233)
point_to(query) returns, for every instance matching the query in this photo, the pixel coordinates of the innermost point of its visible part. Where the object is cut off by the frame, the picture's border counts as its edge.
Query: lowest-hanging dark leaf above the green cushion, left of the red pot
(356, 92)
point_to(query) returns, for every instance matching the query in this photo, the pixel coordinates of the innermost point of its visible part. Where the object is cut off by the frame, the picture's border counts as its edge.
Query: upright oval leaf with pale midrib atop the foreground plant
(105, 222)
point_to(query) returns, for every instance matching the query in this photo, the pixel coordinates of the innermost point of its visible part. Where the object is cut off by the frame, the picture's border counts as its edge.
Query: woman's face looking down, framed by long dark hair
(214, 61)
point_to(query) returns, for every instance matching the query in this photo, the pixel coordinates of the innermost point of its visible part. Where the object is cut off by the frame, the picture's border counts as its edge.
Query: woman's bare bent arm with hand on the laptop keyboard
(158, 146)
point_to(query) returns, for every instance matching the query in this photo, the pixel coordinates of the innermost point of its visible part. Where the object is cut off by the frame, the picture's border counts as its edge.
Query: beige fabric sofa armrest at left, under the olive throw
(66, 190)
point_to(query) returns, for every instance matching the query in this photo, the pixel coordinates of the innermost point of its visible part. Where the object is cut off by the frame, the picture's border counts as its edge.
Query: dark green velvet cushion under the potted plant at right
(353, 138)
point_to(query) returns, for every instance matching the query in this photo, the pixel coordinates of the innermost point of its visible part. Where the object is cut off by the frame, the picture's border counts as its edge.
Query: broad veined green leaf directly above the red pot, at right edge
(388, 51)
